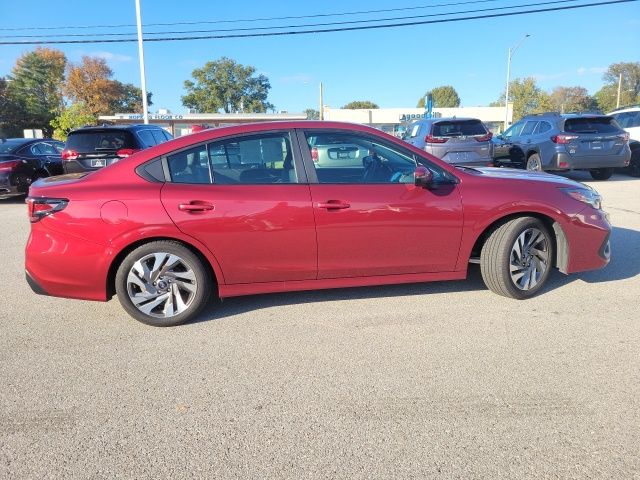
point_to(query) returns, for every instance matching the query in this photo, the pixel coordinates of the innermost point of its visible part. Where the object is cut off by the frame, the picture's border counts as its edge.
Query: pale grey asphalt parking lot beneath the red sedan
(440, 380)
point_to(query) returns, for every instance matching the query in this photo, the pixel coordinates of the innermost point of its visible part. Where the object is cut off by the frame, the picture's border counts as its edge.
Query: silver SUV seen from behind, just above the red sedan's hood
(459, 141)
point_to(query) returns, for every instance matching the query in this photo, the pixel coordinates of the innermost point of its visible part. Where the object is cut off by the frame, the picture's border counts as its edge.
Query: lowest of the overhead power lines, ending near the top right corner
(327, 30)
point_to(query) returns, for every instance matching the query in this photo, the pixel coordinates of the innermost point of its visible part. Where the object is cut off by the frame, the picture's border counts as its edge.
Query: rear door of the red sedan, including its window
(247, 200)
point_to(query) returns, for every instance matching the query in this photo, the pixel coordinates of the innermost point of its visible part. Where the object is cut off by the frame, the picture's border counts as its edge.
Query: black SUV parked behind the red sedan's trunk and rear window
(91, 148)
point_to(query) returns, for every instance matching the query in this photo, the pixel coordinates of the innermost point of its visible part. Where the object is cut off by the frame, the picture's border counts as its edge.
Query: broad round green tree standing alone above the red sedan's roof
(229, 86)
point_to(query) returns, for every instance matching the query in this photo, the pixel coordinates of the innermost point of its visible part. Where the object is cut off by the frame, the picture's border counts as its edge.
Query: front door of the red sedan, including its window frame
(371, 219)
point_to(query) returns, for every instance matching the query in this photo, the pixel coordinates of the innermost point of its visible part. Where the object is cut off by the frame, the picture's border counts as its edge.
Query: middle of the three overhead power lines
(350, 22)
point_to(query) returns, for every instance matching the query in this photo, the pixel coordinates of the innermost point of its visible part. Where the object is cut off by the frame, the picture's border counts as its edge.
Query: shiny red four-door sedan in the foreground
(285, 206)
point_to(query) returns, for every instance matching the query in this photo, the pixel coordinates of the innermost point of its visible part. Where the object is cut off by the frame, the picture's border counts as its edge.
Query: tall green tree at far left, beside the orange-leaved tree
(35, 87)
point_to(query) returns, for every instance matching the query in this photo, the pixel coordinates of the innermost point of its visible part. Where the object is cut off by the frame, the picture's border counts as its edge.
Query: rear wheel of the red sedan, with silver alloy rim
(163, 284)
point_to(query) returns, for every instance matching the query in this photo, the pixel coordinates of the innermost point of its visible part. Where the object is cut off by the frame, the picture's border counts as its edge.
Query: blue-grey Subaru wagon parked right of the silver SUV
(550, 141)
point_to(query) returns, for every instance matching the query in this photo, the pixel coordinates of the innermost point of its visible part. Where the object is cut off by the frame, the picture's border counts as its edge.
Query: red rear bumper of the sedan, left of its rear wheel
(49, 271)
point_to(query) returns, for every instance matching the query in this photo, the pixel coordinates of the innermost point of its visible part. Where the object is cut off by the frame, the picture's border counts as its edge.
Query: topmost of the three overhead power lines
(248, 20)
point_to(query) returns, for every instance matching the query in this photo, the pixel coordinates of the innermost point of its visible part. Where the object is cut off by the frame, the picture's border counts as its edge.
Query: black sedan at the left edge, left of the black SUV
(24, 160)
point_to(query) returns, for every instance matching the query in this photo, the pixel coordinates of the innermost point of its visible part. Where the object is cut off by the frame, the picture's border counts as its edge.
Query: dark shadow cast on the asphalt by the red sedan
(625, 263)
